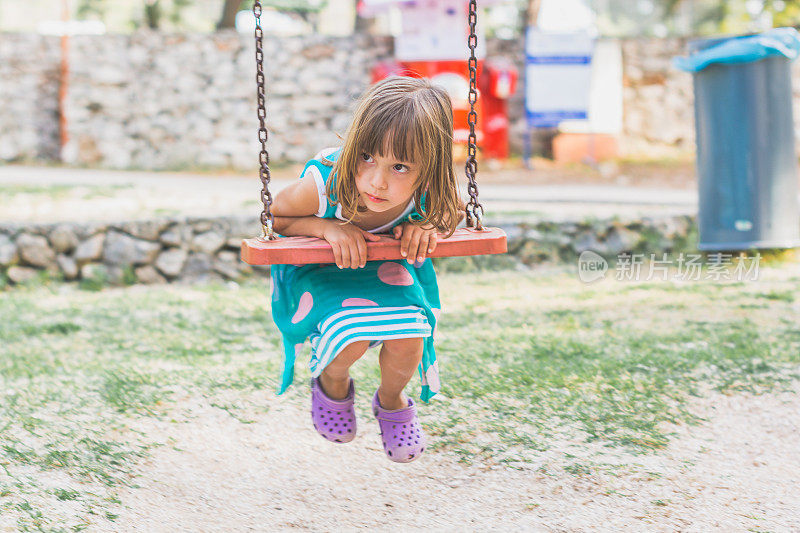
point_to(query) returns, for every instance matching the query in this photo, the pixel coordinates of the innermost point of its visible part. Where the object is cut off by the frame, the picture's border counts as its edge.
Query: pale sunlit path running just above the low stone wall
(107, 195)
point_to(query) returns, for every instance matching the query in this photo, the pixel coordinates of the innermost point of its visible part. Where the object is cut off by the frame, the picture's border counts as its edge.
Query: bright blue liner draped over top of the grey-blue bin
(740, 49)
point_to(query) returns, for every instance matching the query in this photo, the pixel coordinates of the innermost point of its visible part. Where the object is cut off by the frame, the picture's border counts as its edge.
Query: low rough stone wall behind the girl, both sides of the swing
(201, 249)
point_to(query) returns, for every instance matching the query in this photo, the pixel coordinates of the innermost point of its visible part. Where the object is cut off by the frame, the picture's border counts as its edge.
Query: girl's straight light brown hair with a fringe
(413, 120)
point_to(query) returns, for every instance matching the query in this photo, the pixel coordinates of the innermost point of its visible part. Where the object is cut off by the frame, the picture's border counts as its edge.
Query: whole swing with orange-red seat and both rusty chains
(269, 249)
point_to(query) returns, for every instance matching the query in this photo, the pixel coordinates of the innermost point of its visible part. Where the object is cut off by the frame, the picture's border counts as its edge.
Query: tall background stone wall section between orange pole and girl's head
(151, 100)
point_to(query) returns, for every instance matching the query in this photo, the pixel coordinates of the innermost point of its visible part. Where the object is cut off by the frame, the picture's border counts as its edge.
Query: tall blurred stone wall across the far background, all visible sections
(157, 101)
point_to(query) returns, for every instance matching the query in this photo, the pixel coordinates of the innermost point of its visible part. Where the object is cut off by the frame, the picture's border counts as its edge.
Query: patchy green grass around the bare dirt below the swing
(526, 358)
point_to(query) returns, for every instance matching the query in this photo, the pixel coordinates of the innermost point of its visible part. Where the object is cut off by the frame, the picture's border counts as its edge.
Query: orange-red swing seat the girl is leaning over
(306, 250)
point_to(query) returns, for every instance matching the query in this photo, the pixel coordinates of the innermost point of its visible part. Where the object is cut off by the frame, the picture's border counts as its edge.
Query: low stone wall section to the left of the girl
(148, 251)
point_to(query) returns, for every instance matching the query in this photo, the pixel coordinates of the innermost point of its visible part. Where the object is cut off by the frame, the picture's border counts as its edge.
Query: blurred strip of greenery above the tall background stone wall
(614, 18)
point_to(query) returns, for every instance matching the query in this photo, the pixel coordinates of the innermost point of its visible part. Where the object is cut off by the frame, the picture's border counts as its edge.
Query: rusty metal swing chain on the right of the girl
(474, 210)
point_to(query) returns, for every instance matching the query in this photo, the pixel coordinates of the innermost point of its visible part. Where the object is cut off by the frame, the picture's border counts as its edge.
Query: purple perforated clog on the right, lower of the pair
(403, 438)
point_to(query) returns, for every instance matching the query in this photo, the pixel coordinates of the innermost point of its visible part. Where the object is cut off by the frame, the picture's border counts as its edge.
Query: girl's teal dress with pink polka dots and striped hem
(332, 307)
